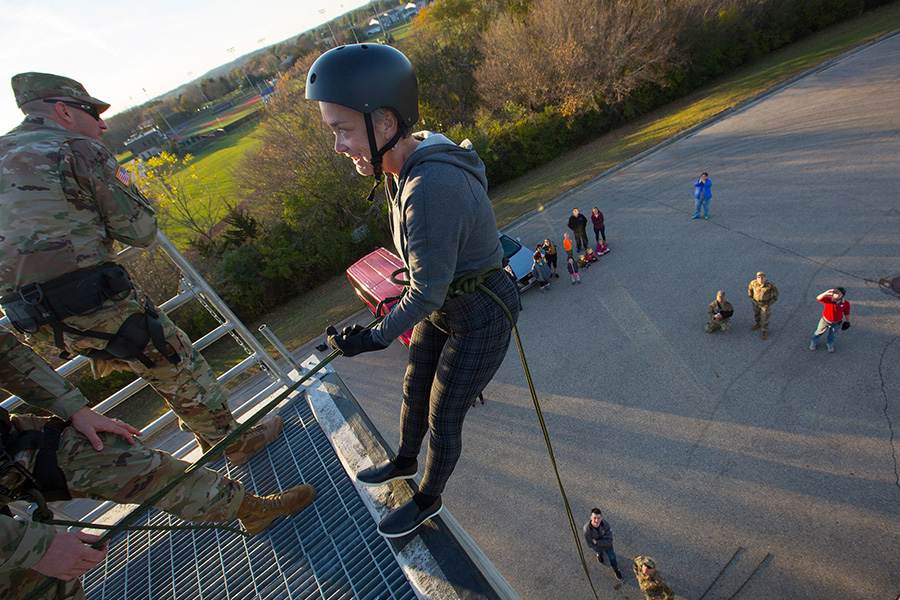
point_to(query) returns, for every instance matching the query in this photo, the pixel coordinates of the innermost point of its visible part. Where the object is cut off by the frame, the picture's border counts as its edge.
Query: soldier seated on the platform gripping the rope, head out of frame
(100, 466)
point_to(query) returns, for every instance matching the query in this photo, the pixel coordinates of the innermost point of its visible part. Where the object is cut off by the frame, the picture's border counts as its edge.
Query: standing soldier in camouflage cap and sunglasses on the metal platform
(64, 201)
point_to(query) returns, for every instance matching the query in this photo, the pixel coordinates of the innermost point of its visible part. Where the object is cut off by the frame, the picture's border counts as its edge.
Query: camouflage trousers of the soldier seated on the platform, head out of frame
(121, 473)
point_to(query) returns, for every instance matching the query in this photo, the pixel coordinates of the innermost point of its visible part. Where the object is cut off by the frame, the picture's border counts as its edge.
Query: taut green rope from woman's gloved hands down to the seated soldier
(209, 455)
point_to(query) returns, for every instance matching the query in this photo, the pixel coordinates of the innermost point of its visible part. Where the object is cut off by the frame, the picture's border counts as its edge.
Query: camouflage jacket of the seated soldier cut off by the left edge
(27, 375)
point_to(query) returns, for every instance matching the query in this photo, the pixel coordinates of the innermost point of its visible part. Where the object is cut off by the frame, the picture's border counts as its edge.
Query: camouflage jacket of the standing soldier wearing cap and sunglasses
(63, 201)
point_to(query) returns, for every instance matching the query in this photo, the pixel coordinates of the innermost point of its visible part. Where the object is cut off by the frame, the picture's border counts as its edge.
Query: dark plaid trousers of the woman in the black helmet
(453, 355)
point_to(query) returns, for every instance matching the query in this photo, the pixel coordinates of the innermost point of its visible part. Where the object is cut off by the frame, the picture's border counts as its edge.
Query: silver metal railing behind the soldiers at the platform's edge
(193, 287)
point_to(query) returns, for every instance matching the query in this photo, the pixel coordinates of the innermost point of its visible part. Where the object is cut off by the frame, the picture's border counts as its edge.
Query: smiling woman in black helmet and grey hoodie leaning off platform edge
(443, 227)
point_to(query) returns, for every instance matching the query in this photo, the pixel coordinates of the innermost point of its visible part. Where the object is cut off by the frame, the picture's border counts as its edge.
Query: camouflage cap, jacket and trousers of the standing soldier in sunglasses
(64, 201)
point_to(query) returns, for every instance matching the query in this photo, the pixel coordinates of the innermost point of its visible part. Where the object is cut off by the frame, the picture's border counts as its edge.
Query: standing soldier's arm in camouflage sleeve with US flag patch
(127, 214)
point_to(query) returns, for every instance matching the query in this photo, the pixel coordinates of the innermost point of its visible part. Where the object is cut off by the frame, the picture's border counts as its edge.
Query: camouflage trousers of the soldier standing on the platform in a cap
(189, 388)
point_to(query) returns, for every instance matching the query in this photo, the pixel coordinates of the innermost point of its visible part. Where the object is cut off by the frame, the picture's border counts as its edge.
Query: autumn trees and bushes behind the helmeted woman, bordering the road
(525, 80)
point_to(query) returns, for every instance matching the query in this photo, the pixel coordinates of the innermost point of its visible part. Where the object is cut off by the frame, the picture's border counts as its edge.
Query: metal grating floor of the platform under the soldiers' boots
(331, 550)
